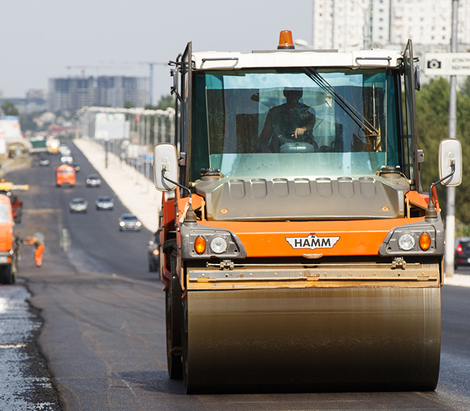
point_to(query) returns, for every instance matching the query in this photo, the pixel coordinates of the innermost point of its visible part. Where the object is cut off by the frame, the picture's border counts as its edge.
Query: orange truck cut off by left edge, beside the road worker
(8, 246)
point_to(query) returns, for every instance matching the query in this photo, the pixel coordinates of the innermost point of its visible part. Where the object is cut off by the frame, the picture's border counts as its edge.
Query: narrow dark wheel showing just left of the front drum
(173, 311)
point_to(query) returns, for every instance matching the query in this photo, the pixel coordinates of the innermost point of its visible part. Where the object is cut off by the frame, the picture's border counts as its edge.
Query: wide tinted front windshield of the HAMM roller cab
(295, 123)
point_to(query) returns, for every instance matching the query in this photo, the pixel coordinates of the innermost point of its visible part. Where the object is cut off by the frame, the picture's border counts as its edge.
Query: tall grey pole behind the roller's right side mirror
(450, 217)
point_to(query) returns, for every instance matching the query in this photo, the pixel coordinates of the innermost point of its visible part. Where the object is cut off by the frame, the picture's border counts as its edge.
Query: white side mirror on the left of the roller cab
(165, 166)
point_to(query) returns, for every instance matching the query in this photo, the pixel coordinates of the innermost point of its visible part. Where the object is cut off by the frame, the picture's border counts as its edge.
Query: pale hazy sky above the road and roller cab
(39, 39)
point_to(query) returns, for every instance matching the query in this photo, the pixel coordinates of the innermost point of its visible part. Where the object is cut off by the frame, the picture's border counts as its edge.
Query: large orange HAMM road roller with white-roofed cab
(298, 250)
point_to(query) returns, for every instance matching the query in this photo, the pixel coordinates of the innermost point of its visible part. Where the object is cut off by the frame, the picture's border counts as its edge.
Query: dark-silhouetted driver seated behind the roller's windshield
(290, 122)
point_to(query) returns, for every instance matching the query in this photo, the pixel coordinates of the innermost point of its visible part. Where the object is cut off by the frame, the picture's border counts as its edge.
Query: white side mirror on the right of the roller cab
(450, 160)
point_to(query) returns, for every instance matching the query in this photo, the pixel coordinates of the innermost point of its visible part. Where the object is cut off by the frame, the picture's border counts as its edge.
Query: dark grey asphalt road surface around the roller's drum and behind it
(103, 330)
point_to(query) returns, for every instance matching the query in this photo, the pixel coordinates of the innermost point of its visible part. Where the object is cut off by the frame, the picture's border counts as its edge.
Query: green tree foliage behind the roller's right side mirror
(432, 112)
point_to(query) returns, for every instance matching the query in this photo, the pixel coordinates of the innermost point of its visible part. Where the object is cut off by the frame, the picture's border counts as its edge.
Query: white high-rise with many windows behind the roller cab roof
(349, 24)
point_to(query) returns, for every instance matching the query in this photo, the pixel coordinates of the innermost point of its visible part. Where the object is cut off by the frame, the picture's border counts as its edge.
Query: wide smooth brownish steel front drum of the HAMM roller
(317, 339)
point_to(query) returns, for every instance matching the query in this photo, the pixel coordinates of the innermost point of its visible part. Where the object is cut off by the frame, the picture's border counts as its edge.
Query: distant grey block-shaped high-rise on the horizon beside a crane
(106, 91)
